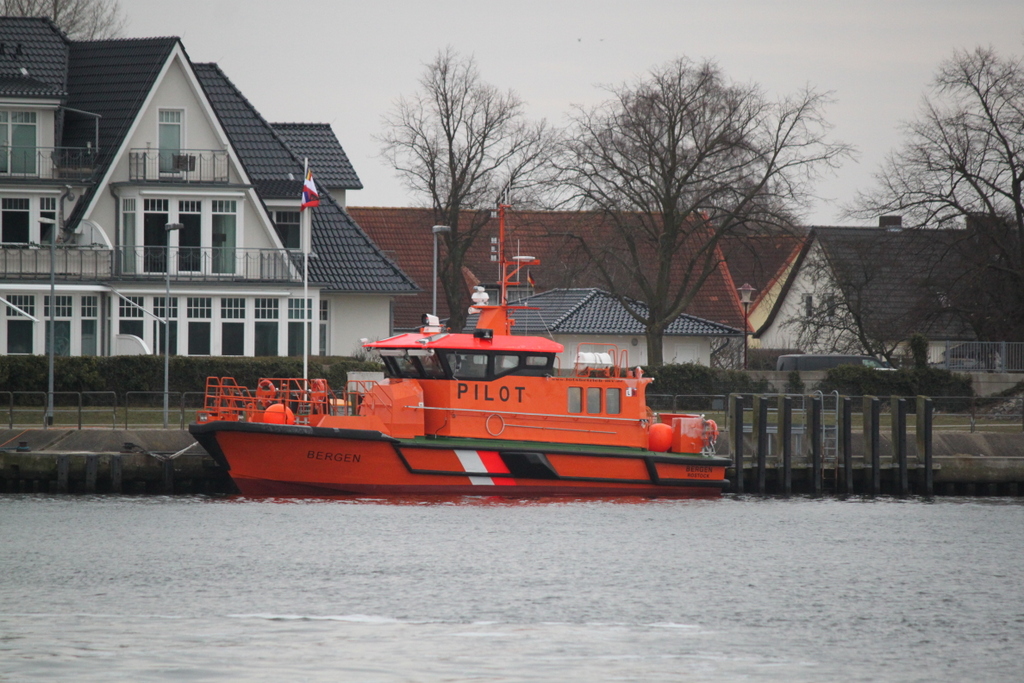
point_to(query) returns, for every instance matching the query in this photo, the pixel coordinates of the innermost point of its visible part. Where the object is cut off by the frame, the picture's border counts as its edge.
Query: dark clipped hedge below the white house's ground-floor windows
(146, 373)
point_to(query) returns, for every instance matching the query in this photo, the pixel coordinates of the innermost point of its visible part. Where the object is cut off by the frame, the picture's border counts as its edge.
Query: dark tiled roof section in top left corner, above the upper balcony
(37, 47)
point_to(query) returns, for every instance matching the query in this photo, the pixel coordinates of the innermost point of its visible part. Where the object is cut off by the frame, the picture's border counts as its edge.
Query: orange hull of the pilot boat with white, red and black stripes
(289, 460)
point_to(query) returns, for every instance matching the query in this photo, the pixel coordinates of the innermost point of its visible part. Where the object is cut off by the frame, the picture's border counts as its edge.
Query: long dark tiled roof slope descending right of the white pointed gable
(347, 260)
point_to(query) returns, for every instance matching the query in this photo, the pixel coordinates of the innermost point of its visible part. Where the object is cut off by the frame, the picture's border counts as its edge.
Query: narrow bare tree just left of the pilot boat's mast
(462, 145)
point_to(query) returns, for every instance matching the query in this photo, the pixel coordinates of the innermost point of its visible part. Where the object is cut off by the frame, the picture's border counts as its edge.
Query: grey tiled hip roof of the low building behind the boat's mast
(594, 312)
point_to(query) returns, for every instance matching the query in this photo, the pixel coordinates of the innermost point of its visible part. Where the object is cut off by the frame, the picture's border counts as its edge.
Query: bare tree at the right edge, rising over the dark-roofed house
(962, 166)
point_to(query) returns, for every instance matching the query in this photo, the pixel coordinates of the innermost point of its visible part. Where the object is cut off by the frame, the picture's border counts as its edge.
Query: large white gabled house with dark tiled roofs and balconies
(149, 173)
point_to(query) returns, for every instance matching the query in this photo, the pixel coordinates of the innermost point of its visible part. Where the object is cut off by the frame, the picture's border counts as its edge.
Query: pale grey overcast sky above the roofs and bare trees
(346, 63)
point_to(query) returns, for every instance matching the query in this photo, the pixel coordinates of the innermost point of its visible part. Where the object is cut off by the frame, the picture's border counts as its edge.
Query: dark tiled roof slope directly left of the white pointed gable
(111, 78)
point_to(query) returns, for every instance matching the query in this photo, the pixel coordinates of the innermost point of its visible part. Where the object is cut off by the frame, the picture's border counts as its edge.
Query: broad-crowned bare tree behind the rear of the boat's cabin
(678, 161)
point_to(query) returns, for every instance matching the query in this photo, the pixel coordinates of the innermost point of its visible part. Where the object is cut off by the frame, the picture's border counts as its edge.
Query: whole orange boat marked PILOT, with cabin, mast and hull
(482, 413)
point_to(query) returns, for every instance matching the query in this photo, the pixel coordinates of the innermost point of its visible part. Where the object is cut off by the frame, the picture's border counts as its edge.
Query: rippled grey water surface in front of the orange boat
(471, 589)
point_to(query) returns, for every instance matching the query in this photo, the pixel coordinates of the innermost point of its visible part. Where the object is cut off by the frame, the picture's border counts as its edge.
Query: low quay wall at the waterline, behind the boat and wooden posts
(170, 462)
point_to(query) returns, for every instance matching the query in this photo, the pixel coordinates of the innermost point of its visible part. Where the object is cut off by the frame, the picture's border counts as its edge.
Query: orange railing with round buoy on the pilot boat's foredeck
(281, 401)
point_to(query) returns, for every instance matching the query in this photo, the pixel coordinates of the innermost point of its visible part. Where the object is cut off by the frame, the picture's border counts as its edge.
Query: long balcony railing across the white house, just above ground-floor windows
(187, 264)
